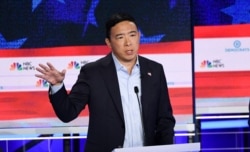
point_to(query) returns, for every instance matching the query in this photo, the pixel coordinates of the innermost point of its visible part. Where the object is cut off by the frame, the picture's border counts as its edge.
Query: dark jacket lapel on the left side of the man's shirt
(110, 78)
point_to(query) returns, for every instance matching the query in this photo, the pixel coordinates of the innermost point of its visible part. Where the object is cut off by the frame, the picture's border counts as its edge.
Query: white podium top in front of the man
(188, 147)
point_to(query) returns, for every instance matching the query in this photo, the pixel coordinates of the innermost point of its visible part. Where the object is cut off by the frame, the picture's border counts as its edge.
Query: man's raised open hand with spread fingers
(50, 73)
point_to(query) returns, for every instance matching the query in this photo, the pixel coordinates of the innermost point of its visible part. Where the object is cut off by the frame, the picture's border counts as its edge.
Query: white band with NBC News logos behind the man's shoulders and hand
(18, 74)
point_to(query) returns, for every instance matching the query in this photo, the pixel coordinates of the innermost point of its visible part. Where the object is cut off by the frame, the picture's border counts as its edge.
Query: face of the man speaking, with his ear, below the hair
(124, 41)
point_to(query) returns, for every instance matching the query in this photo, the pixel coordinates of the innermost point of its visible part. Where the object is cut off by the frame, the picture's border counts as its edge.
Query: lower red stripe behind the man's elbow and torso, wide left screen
(24, 105)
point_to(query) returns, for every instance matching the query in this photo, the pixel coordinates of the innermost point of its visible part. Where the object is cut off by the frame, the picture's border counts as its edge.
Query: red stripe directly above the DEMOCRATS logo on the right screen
(241, 30)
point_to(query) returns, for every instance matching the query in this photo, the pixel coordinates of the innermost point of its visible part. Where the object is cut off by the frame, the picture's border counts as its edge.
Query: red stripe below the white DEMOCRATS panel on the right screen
(222, 84)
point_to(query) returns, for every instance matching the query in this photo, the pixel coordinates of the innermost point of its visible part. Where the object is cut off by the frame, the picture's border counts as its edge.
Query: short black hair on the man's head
(117, 18)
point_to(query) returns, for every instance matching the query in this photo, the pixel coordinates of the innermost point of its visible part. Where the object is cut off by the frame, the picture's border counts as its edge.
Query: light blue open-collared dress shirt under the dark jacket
(130, 106)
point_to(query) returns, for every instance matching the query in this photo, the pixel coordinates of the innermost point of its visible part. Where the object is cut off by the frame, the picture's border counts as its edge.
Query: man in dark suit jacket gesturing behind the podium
(126, 93)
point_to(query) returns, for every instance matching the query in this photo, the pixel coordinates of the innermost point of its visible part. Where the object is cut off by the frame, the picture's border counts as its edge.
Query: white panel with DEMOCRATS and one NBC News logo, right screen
(222, 54)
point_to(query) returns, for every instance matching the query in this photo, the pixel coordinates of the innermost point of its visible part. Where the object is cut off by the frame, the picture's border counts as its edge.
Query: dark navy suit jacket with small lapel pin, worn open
(97, 85)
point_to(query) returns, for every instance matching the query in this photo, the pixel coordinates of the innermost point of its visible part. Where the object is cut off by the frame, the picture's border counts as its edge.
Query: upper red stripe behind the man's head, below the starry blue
(167, 47)
